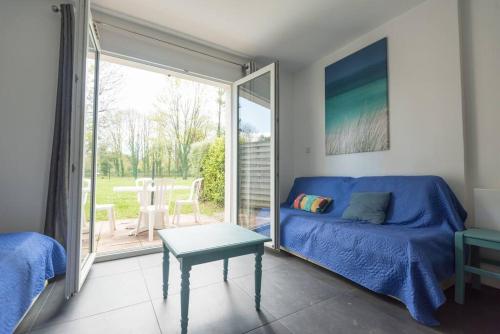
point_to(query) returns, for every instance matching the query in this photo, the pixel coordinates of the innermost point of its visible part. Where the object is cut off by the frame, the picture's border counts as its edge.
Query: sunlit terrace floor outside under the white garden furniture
(120, 240)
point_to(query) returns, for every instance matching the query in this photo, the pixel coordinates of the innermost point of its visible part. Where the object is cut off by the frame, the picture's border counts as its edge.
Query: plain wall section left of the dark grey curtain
(29, 40)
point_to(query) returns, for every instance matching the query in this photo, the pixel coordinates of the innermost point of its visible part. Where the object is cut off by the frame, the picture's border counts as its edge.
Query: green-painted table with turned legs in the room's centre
(201, 244)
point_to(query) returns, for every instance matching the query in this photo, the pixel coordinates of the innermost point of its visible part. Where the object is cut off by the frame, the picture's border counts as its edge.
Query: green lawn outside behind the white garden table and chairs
(126, 205)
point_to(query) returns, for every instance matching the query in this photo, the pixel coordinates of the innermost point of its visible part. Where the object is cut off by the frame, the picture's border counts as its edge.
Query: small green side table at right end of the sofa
(478, 238)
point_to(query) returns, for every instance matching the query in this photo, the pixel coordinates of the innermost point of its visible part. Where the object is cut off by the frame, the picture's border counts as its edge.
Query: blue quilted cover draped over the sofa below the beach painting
(407, 257)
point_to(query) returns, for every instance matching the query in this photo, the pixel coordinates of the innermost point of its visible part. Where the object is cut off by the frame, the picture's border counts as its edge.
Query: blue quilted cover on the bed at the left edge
(27, 260)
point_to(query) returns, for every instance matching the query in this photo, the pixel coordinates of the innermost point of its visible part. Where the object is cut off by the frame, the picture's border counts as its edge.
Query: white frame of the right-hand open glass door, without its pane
(273, 69)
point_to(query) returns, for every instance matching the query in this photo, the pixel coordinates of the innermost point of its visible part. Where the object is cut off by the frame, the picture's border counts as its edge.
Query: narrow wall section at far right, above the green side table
(480, 27)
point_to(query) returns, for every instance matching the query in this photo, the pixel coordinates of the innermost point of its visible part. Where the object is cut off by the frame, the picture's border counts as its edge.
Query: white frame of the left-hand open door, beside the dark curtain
(76, 273)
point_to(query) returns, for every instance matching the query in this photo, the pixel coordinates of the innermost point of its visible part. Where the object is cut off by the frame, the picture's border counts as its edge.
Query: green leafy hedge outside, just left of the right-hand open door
(212, 171)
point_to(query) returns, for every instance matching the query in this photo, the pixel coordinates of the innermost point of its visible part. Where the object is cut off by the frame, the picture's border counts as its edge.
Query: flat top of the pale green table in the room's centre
(194, 240)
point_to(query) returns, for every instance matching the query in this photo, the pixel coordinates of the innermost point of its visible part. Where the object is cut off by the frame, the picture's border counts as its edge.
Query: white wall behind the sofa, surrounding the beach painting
(425, 106)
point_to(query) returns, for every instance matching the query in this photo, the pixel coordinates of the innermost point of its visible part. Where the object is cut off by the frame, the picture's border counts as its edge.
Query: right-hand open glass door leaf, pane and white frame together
(255, 158)
